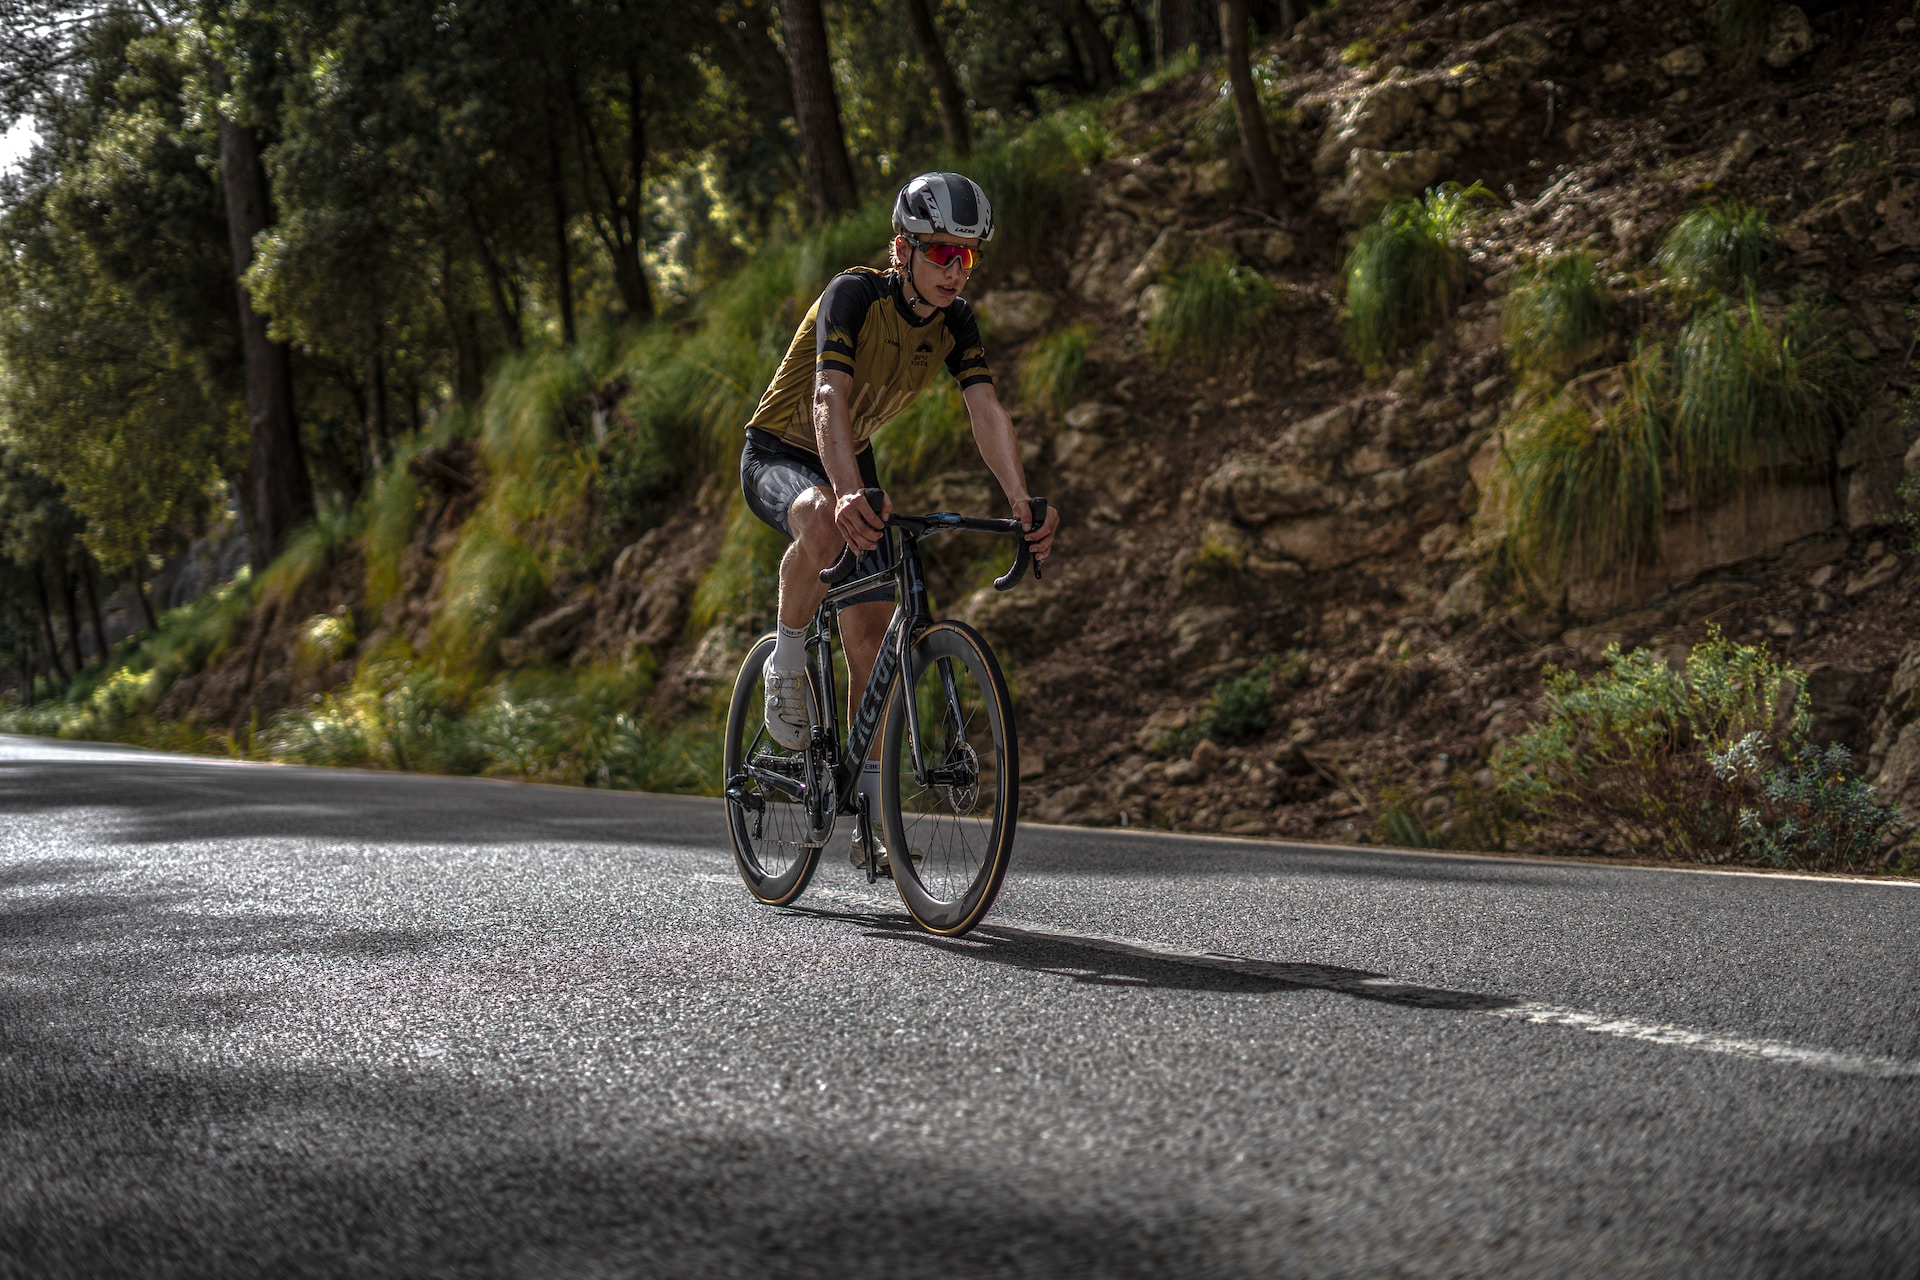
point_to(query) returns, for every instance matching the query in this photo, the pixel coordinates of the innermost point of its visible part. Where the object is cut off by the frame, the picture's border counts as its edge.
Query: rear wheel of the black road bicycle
(773, 843)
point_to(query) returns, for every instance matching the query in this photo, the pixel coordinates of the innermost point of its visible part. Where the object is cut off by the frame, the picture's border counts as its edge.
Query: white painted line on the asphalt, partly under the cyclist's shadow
(1527, 1012)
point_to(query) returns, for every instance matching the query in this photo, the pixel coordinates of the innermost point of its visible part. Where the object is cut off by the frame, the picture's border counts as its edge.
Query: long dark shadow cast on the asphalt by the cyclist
(1107, 962)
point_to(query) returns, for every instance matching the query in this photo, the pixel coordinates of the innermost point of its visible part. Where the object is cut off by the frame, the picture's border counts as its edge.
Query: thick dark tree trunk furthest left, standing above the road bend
(277, 490)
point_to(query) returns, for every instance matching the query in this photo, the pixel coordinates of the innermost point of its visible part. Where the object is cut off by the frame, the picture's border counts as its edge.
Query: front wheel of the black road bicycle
(951, 841)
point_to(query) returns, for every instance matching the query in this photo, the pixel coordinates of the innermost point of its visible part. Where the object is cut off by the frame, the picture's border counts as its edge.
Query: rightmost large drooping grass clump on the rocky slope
(1750, 394)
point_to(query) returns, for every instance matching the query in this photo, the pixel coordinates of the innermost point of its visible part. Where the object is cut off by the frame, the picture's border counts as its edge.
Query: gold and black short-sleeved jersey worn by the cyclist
(861, 325)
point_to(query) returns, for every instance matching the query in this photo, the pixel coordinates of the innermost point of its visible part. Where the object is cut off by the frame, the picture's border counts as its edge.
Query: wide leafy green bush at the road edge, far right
(1668, 763)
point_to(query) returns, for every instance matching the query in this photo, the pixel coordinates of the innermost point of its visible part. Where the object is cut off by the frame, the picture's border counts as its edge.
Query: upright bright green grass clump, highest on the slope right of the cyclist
(1404, 273)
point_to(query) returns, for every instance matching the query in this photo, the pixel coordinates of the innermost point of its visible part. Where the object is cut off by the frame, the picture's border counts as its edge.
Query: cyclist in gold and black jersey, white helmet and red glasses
(863, 354)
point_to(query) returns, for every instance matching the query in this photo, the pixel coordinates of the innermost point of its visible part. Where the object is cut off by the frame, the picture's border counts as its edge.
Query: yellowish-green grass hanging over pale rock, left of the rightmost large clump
(1587, 490)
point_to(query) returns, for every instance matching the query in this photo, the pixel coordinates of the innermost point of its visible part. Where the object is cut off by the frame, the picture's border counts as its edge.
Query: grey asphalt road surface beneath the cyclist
(297, 1022)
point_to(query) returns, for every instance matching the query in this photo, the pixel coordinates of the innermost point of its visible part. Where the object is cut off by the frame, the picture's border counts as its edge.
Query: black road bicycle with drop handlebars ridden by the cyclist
(949, 763)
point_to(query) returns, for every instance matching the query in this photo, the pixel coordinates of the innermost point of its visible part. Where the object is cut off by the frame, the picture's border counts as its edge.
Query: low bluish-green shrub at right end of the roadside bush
(1808, 811)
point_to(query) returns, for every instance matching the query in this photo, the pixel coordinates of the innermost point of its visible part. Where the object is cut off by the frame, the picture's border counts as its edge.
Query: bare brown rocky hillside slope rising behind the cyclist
(1278, 508)
